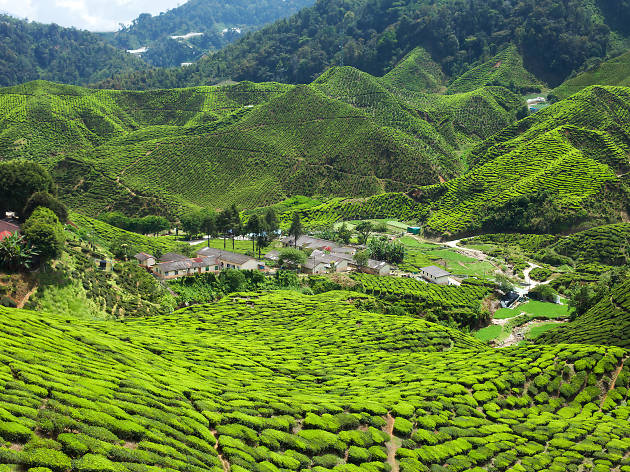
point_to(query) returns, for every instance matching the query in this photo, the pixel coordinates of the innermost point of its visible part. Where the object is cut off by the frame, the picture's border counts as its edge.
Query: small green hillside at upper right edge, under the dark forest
(615, 71)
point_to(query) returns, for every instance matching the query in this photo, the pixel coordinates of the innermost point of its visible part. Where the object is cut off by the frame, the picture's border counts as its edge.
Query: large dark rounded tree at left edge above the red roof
(19, 179)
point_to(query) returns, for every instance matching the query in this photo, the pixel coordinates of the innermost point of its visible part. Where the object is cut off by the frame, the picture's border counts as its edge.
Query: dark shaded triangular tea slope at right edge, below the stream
(608, 322)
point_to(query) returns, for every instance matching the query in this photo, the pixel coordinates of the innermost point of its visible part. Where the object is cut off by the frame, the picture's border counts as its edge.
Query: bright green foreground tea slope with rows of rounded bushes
(291, 382)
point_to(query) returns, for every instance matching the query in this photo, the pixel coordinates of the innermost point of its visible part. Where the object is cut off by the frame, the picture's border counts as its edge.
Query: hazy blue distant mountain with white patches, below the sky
(197, 27)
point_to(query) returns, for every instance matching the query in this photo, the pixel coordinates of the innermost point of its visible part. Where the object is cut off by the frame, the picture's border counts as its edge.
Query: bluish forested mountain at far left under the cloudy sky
(32, 51)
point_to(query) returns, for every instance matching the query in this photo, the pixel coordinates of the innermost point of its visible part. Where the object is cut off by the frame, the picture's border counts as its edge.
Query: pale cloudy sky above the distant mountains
(93, 15)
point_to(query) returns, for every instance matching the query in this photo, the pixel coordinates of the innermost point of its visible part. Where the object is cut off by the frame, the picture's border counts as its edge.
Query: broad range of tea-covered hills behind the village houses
(249, 144)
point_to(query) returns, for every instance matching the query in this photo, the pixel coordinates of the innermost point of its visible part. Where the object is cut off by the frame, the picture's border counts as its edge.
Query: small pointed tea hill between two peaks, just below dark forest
(505, 69)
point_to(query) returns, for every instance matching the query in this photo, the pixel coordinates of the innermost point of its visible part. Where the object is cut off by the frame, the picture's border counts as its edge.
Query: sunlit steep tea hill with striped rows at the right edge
(546, 173)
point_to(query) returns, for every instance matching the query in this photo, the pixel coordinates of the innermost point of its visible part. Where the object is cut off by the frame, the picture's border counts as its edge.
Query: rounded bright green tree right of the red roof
(44, 232)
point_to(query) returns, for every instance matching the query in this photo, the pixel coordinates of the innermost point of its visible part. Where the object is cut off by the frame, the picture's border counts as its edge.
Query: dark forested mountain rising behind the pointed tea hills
(554, 38)
